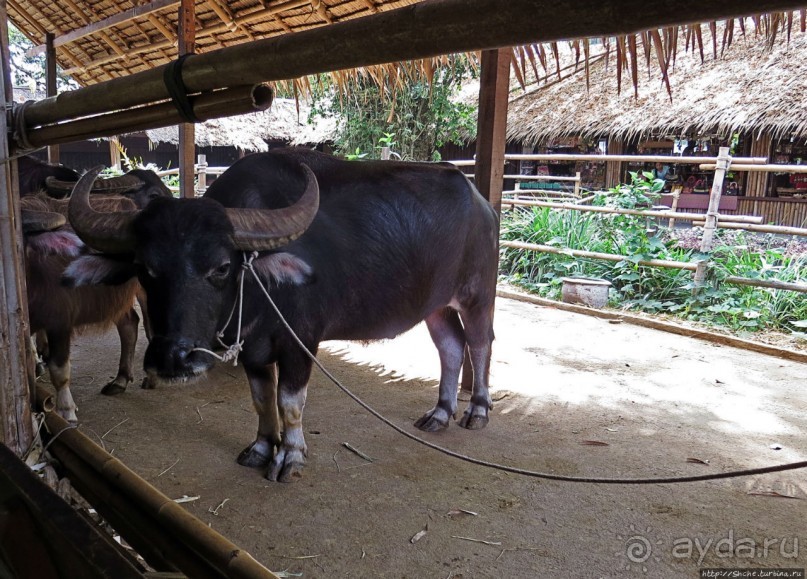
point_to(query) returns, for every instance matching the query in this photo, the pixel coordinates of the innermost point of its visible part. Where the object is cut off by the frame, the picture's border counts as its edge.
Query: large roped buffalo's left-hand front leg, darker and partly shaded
(263, 384)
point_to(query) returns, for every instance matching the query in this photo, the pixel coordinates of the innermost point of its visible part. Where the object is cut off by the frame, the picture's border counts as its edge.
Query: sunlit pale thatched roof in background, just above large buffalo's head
(282, 122)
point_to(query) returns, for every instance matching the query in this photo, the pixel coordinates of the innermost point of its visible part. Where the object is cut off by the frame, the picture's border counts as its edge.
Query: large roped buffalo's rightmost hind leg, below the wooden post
(478, 324)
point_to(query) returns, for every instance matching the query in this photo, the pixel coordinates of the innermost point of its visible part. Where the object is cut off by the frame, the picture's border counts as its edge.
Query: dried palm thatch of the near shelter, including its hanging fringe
(105, 39)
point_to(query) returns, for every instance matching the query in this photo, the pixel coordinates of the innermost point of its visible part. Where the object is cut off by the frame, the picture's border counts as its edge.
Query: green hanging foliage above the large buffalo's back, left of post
(411, 116)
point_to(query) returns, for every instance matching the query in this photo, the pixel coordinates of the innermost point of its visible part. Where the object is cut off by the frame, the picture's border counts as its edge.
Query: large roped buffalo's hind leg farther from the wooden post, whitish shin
(447, 334)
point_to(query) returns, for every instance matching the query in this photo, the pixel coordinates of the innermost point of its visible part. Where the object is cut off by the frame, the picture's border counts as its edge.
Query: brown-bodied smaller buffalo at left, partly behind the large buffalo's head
(60, 312)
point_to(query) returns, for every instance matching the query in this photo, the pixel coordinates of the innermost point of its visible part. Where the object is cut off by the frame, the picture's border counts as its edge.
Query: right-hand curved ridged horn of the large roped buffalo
(265, 229)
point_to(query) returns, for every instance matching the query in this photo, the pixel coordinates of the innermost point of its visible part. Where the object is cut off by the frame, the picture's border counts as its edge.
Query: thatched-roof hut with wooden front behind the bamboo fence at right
(748, 95)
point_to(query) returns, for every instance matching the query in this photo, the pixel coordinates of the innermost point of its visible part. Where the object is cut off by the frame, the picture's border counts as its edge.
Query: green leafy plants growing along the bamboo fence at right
(653, 289)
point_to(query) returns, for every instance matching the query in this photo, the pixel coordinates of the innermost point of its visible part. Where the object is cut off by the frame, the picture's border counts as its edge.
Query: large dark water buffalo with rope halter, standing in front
(349, 250)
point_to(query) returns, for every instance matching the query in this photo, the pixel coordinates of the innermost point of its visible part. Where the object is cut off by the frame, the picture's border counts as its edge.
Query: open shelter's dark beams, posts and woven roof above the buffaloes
(125, 56)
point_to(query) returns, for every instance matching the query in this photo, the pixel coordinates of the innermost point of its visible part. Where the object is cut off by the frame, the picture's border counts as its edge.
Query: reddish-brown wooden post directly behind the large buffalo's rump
(494, 92)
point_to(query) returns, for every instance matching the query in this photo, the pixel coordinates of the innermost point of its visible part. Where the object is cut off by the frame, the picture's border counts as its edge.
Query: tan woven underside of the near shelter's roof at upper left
(133, 39)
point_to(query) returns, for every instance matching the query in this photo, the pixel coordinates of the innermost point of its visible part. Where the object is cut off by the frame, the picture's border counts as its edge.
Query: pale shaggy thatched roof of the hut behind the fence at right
(751, 86)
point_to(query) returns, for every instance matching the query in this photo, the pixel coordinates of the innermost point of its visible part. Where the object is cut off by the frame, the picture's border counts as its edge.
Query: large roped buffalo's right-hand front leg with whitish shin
(294, 370)
